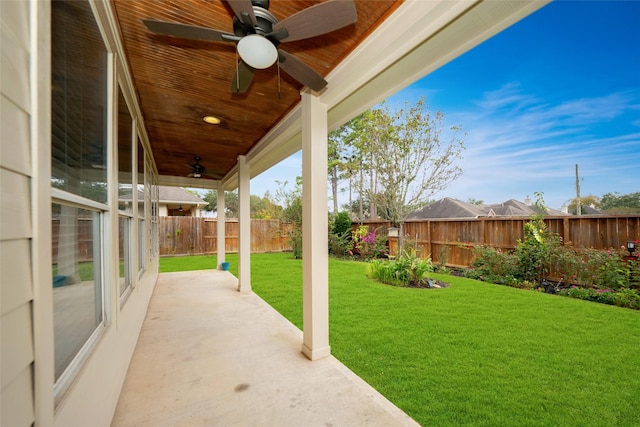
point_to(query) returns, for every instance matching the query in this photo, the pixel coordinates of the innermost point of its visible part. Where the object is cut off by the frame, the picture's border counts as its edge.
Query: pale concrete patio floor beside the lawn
(208, 355)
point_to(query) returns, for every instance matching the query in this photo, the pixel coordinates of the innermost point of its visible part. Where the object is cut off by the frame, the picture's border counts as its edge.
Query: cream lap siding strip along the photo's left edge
(16, 287)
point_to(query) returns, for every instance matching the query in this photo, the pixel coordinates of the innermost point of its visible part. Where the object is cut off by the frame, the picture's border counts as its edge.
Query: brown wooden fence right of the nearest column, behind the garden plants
(449, 241)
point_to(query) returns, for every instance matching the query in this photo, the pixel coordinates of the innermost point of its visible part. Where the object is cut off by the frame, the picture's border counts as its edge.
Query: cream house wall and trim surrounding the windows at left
(28, 393)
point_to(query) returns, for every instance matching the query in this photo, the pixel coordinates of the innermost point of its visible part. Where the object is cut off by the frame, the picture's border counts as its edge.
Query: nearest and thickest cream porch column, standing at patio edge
(315, 258)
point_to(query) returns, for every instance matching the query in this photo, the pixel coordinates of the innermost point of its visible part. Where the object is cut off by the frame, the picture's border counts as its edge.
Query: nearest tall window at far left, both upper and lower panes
(79, 77)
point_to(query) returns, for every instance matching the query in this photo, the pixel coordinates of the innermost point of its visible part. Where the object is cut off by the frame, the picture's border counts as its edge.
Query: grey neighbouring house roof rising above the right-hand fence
(452, 208)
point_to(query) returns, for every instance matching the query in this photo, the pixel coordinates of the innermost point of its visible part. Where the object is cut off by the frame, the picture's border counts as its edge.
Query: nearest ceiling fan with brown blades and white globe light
(258, 34)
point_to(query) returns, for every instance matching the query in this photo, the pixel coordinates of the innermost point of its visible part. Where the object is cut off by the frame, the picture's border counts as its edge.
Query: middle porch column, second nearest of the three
(244, 227)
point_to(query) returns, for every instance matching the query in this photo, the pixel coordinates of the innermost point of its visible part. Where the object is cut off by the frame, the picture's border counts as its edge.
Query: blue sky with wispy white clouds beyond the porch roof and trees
(559, 88)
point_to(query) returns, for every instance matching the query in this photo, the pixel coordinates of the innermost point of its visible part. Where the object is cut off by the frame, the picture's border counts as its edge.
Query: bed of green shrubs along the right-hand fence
(544, 262)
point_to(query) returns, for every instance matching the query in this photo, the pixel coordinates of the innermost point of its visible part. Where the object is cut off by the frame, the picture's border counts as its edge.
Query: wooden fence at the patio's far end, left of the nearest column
(190, 235)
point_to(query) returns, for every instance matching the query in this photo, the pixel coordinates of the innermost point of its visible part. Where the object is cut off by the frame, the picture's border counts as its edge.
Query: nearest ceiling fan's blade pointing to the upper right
(313, 21)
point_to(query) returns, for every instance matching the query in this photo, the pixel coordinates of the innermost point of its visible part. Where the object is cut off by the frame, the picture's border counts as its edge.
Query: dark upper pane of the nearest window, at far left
(79, 102)
